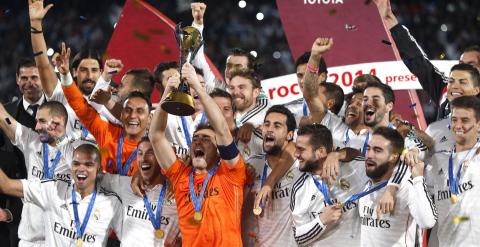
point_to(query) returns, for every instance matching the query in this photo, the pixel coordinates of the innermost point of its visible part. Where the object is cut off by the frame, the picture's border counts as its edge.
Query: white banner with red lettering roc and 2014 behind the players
(285, 88)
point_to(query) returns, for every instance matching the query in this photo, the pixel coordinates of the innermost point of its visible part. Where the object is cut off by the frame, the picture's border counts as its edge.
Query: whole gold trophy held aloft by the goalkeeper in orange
(180, 102)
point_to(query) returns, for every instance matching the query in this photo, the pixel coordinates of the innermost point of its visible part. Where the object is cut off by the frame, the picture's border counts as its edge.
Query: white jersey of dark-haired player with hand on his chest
(307, 203)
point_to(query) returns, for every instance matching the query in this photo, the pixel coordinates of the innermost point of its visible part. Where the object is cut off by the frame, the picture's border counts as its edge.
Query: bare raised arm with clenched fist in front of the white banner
(314, 101)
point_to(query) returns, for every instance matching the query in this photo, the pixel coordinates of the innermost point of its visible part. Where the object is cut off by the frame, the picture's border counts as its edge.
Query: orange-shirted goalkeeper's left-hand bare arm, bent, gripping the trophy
(161, 146)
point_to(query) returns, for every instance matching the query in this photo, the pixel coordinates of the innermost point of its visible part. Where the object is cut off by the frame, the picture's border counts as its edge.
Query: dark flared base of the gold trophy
(179, 104)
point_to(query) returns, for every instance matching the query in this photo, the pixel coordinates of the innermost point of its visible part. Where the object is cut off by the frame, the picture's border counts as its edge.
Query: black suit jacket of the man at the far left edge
(12, 162)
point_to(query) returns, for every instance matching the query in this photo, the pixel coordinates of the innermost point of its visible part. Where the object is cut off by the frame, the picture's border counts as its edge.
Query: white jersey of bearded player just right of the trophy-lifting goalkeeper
(275, 226)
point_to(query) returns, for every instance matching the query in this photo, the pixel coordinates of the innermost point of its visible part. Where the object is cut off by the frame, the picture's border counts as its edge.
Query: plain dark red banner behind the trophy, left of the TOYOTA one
(144, 37)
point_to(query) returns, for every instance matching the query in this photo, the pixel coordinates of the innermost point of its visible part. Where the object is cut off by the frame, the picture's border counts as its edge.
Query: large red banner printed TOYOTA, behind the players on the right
(359, 36)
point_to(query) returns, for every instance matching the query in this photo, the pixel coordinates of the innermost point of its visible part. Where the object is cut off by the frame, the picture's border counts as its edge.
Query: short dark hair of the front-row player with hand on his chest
(320, 136)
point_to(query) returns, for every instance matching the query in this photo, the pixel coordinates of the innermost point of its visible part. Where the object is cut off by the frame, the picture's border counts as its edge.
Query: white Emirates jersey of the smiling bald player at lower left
(54, 197)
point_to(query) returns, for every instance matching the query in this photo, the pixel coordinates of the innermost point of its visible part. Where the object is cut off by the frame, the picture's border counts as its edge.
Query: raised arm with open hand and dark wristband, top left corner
(47, 75)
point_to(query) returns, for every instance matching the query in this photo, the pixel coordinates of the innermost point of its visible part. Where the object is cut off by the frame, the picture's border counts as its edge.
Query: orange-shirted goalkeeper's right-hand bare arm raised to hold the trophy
(214, 114)
